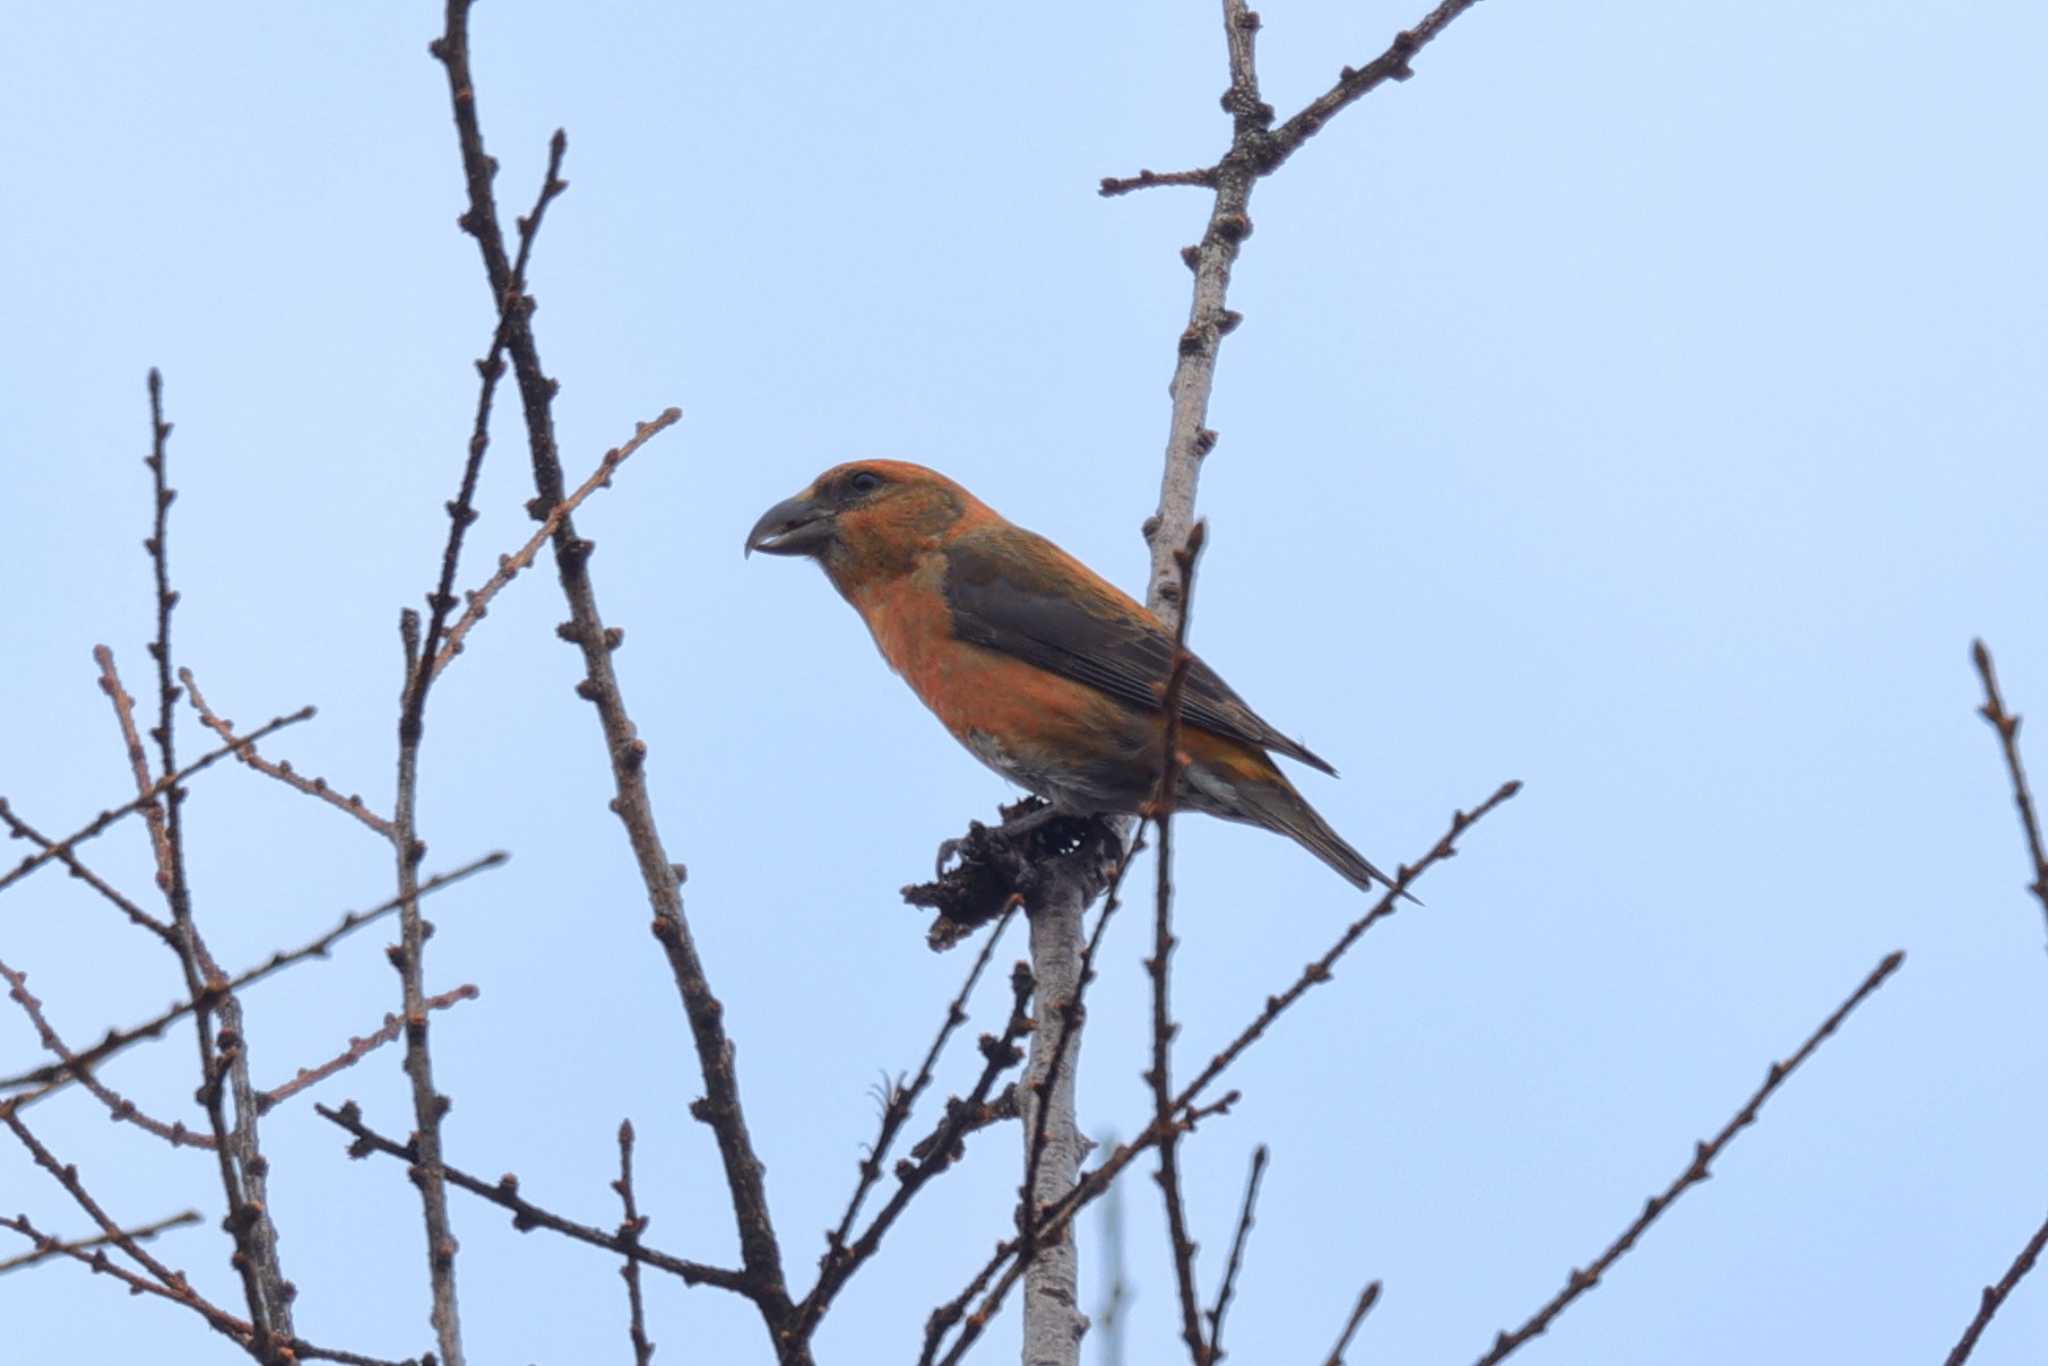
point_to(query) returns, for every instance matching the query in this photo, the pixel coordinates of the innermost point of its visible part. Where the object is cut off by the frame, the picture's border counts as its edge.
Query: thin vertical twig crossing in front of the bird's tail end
(1160, 1076)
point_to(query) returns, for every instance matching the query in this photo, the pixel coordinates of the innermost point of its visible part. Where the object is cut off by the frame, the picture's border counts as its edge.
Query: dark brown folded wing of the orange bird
(1021, 595)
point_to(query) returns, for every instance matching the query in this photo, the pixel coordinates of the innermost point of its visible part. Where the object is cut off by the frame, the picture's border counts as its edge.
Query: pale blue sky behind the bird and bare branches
(1644, 402)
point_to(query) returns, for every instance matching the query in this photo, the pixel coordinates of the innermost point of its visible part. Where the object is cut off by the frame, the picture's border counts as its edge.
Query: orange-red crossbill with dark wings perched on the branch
(1046, 671)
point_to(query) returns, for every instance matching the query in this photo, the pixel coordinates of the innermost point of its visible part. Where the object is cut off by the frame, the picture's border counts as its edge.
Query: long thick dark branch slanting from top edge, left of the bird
(720, 1109)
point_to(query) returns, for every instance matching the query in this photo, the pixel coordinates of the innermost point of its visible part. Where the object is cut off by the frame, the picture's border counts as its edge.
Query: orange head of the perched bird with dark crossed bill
(865, 519)
